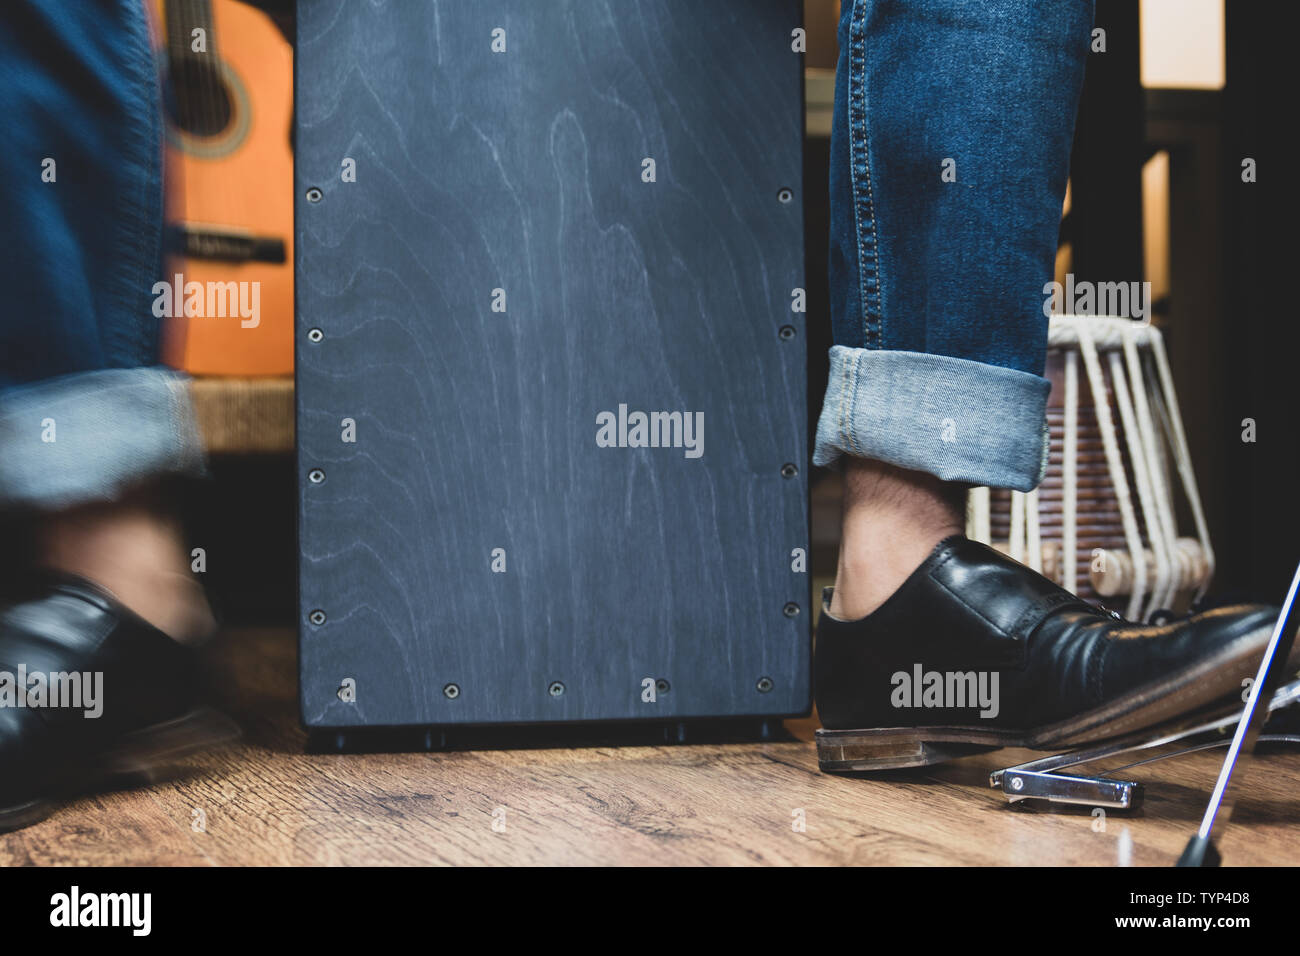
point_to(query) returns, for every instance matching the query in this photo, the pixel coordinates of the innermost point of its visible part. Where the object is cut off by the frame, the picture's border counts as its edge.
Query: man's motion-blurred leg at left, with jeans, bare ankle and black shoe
(89, 427)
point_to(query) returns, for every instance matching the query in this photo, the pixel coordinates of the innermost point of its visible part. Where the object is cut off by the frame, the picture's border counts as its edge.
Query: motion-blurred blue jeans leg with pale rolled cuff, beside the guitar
(84, 413)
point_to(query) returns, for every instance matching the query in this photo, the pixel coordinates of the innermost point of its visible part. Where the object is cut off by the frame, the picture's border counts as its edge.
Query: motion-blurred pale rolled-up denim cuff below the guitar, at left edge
(85, 438)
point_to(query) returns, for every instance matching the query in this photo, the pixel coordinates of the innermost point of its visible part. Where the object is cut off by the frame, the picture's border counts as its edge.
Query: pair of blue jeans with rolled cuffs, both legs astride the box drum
(951, 149)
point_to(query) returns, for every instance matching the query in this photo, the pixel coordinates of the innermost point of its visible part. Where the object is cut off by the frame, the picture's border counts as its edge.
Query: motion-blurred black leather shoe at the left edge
(89, 691)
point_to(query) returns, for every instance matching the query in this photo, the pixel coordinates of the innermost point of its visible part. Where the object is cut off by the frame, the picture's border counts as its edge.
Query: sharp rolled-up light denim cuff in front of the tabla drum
(956, 419)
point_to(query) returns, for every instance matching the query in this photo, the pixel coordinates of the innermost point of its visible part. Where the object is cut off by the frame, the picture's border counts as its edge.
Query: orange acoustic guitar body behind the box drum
(231, 176)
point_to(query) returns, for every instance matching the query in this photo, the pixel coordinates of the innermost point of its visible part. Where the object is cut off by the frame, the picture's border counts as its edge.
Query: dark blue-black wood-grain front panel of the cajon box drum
(476, 430)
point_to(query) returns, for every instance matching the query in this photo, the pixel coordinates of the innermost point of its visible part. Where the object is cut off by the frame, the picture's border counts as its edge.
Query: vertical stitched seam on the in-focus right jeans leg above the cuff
(865, 207)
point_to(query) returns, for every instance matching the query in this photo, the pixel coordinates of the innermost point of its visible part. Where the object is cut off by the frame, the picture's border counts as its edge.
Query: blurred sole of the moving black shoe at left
(133, 755)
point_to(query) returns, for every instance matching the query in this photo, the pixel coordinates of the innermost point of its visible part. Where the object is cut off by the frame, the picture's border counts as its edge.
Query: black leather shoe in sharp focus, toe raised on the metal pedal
(976, 652)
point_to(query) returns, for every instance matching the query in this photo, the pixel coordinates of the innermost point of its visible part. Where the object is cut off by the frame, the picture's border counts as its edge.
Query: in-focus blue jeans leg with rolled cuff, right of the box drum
(950, 154)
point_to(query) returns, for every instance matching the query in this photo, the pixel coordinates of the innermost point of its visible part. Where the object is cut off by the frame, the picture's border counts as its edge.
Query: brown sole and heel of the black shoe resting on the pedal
(1199, 685)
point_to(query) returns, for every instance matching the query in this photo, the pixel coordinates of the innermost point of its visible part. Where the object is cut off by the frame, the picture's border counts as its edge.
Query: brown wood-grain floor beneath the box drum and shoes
(267, 802)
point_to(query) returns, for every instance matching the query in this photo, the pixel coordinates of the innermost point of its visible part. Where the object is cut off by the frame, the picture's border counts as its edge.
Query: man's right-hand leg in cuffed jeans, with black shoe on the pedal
(950, 161)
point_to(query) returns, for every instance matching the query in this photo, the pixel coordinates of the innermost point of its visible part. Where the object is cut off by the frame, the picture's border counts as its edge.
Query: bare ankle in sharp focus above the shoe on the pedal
(892, 521)
